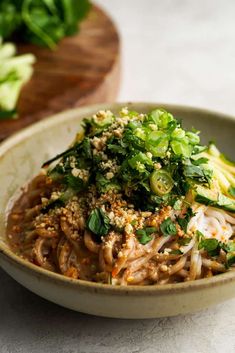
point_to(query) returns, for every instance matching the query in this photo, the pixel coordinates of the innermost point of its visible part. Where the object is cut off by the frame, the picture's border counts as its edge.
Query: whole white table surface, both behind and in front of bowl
(178, 51)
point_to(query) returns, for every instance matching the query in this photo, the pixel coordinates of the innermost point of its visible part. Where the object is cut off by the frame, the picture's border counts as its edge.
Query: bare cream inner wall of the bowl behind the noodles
(22, 155)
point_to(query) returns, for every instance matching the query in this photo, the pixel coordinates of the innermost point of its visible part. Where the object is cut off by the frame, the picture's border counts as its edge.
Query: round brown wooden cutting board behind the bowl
(84, 69)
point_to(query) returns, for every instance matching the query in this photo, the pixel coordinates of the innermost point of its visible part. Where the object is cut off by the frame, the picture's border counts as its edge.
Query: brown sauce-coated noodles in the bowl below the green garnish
(60, 241)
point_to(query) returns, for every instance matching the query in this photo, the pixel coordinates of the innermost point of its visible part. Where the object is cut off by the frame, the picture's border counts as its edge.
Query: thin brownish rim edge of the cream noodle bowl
(152, 290)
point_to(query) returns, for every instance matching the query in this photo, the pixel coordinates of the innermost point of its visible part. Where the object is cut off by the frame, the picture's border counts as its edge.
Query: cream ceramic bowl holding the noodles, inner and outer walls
(20, 159)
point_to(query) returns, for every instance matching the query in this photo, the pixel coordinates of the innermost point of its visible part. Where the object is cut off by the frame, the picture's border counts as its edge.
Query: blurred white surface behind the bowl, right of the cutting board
(177, 51)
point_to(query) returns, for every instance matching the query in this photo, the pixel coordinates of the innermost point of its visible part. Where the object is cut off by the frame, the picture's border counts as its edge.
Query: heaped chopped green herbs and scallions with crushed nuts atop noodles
(138, 160)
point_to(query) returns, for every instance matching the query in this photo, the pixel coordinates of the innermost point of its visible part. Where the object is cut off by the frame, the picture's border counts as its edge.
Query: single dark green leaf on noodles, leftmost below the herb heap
(98, 222)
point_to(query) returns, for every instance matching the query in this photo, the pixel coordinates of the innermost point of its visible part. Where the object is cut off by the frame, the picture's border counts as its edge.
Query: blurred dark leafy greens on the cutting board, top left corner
(42, 22)
